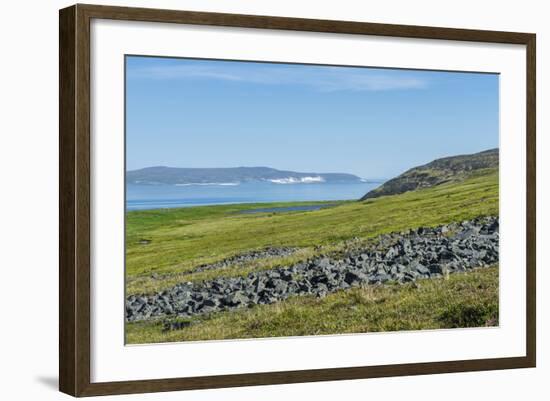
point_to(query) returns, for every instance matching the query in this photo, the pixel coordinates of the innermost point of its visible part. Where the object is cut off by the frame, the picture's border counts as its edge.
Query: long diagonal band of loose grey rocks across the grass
(398, 257)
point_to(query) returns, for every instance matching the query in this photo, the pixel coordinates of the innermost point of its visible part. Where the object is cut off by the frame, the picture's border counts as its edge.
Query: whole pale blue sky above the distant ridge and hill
(375, 123)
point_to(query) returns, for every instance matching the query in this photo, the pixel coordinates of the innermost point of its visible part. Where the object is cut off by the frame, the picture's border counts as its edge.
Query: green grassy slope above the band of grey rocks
(184, 238)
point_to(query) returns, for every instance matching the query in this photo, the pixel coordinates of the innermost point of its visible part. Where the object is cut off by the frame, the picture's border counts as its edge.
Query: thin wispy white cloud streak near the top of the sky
(327, 79)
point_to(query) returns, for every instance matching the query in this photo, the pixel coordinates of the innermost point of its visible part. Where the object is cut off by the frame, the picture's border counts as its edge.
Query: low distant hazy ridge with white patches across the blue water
(231, 175)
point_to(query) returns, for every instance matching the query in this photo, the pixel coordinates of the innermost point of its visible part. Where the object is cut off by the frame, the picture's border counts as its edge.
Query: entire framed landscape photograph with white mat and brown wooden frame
(250, 200)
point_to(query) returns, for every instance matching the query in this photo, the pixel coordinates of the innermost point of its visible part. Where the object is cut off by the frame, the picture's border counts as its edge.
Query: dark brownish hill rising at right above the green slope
(437, 172)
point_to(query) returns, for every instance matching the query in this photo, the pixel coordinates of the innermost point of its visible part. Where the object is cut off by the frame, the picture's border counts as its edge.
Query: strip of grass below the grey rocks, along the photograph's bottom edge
(460, 300)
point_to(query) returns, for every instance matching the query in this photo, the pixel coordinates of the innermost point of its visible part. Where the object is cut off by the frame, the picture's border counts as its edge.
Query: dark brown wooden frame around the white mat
(74, 199)
